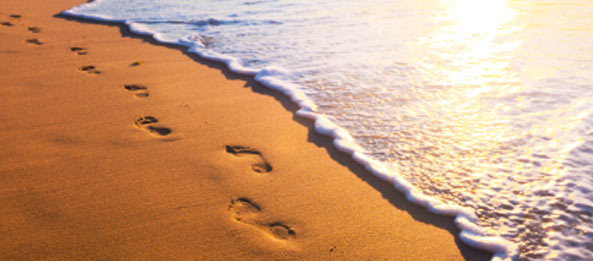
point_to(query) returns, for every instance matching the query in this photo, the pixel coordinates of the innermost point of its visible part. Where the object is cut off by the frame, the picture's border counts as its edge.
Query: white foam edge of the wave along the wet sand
(471, 234)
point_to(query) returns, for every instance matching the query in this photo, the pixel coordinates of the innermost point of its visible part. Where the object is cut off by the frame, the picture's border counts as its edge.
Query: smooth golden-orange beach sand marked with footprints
(117, 147)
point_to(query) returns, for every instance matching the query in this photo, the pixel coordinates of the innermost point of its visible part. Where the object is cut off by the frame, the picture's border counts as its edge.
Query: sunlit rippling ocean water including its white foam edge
(476, 109)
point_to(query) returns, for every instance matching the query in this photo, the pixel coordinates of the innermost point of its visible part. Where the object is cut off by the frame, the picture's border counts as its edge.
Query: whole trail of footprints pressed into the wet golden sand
(243, 210)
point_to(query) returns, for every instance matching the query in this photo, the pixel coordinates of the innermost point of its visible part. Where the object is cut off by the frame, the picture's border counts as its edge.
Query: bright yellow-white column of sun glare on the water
(467, 57)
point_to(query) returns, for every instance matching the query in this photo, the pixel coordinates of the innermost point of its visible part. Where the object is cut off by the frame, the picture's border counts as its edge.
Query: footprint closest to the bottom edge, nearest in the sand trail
(245, 211)
